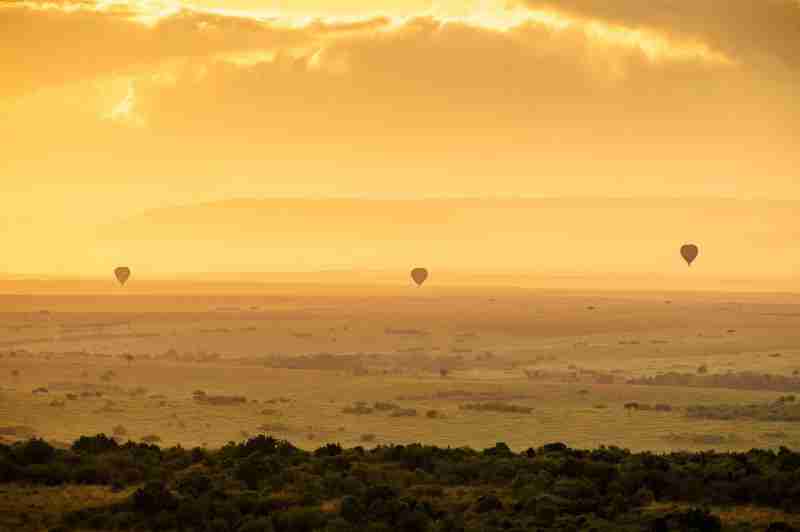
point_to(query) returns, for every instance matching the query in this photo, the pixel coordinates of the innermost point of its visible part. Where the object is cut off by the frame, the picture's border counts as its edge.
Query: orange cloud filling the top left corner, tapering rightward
(45, 44)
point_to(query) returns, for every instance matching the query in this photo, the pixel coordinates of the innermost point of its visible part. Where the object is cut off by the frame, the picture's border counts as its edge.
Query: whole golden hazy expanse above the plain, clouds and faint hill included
(115, 112)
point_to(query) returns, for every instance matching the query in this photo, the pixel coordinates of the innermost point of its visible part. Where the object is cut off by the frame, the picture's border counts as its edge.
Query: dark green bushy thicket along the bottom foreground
(265, 484)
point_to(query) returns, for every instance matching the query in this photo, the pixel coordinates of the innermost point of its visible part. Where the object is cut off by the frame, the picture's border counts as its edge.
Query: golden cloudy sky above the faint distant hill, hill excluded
(111, 108)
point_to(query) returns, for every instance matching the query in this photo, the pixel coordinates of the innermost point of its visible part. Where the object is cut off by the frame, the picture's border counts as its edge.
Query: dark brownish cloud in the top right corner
(752, 30)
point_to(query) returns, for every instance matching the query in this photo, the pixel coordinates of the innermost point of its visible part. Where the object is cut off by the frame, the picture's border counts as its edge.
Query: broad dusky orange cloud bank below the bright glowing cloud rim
(454, 83)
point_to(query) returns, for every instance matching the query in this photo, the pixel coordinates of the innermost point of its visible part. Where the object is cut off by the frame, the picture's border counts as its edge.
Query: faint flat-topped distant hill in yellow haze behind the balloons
(737, 238)
